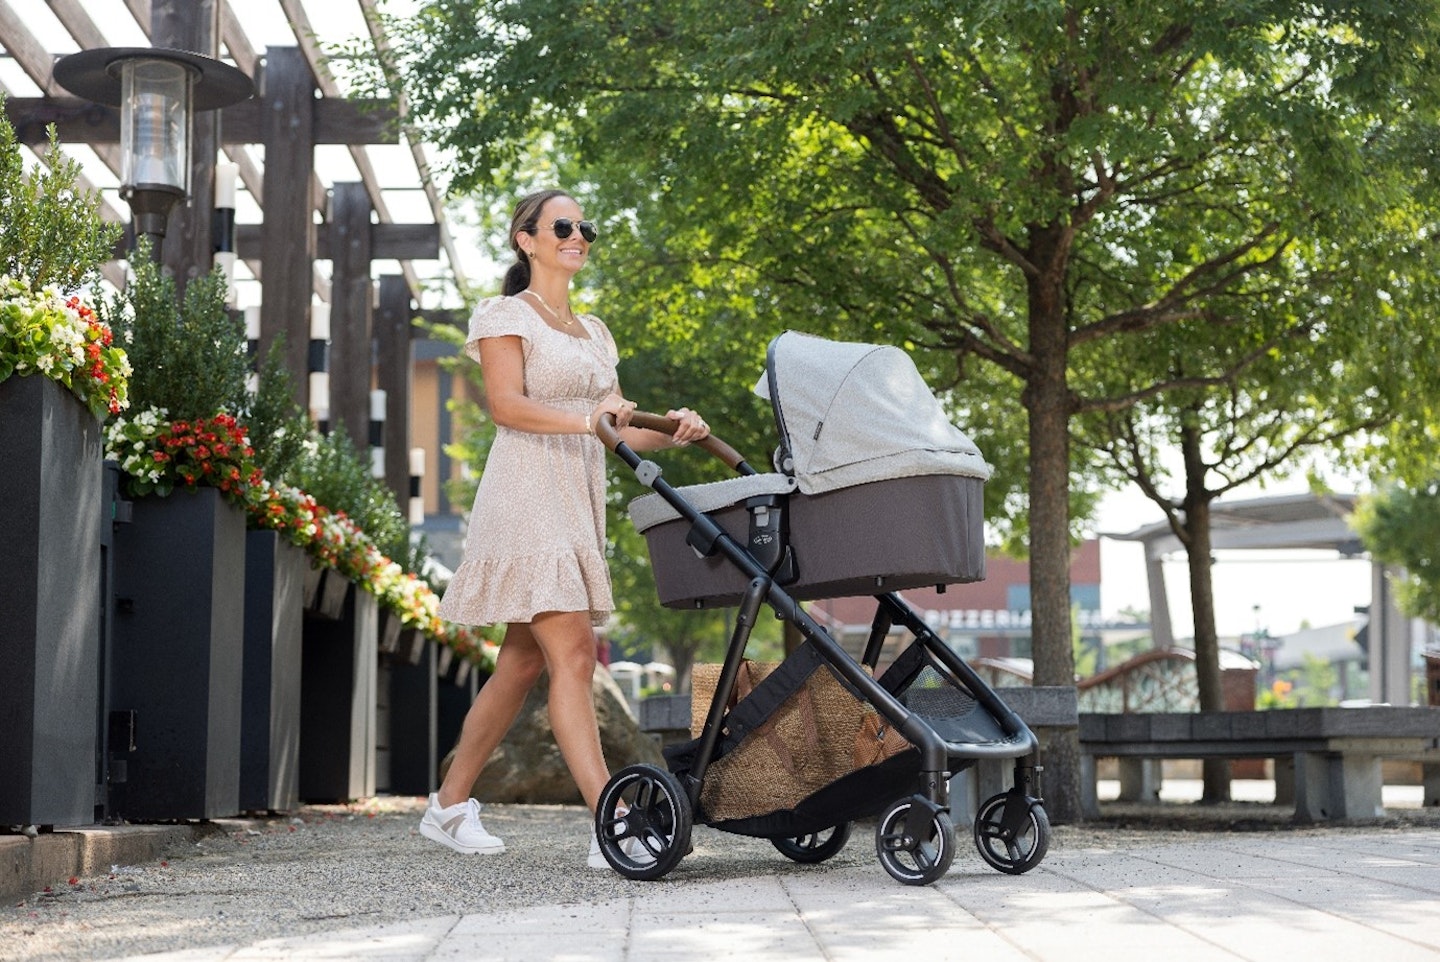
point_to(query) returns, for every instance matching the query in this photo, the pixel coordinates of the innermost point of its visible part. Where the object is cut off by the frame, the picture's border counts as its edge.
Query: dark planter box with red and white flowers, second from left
(178, 656)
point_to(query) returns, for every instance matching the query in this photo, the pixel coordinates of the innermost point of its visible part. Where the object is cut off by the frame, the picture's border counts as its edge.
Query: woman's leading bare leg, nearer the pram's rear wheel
(568, 643)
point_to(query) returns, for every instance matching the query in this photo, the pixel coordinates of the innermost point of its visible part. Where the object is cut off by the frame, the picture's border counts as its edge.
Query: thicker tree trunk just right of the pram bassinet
(1048, 403)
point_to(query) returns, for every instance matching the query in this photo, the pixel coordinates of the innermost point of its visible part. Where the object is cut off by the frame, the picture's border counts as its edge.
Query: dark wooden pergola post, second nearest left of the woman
(352, 309)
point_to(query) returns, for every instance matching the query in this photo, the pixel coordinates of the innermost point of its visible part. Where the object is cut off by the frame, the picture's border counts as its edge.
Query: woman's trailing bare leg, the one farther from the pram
(518, 667)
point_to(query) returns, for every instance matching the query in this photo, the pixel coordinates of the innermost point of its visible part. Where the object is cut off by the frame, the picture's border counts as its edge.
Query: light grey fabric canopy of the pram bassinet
(852, 414)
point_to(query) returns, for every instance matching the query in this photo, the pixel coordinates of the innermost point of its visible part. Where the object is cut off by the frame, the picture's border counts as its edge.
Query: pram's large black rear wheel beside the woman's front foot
(643, 822)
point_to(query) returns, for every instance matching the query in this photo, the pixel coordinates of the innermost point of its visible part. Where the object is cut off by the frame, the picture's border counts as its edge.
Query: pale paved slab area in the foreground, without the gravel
(1346, 896)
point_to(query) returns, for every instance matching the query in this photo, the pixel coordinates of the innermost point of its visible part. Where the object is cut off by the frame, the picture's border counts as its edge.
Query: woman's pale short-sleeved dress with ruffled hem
(536, 535)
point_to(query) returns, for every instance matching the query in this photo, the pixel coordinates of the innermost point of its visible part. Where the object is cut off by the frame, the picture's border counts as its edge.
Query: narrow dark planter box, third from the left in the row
(274, 620)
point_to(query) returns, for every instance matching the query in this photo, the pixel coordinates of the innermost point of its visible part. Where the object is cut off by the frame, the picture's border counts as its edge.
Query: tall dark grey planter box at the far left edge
(51, 516)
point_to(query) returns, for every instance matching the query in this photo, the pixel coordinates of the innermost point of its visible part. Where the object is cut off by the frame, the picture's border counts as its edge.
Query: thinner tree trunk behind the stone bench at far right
(1203, 604)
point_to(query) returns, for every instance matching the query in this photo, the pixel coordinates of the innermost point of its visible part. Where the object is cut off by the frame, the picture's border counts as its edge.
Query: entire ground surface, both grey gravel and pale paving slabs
(1110, 892)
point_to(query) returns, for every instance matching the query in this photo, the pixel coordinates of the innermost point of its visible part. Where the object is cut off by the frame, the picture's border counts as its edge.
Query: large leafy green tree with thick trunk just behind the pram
(1023, 184)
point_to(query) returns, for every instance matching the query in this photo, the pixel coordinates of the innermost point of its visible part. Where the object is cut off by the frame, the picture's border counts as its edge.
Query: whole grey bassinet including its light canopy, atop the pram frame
(878, 490)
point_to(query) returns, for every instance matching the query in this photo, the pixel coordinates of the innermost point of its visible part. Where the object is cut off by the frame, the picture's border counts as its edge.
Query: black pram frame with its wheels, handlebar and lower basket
(945, 714)
